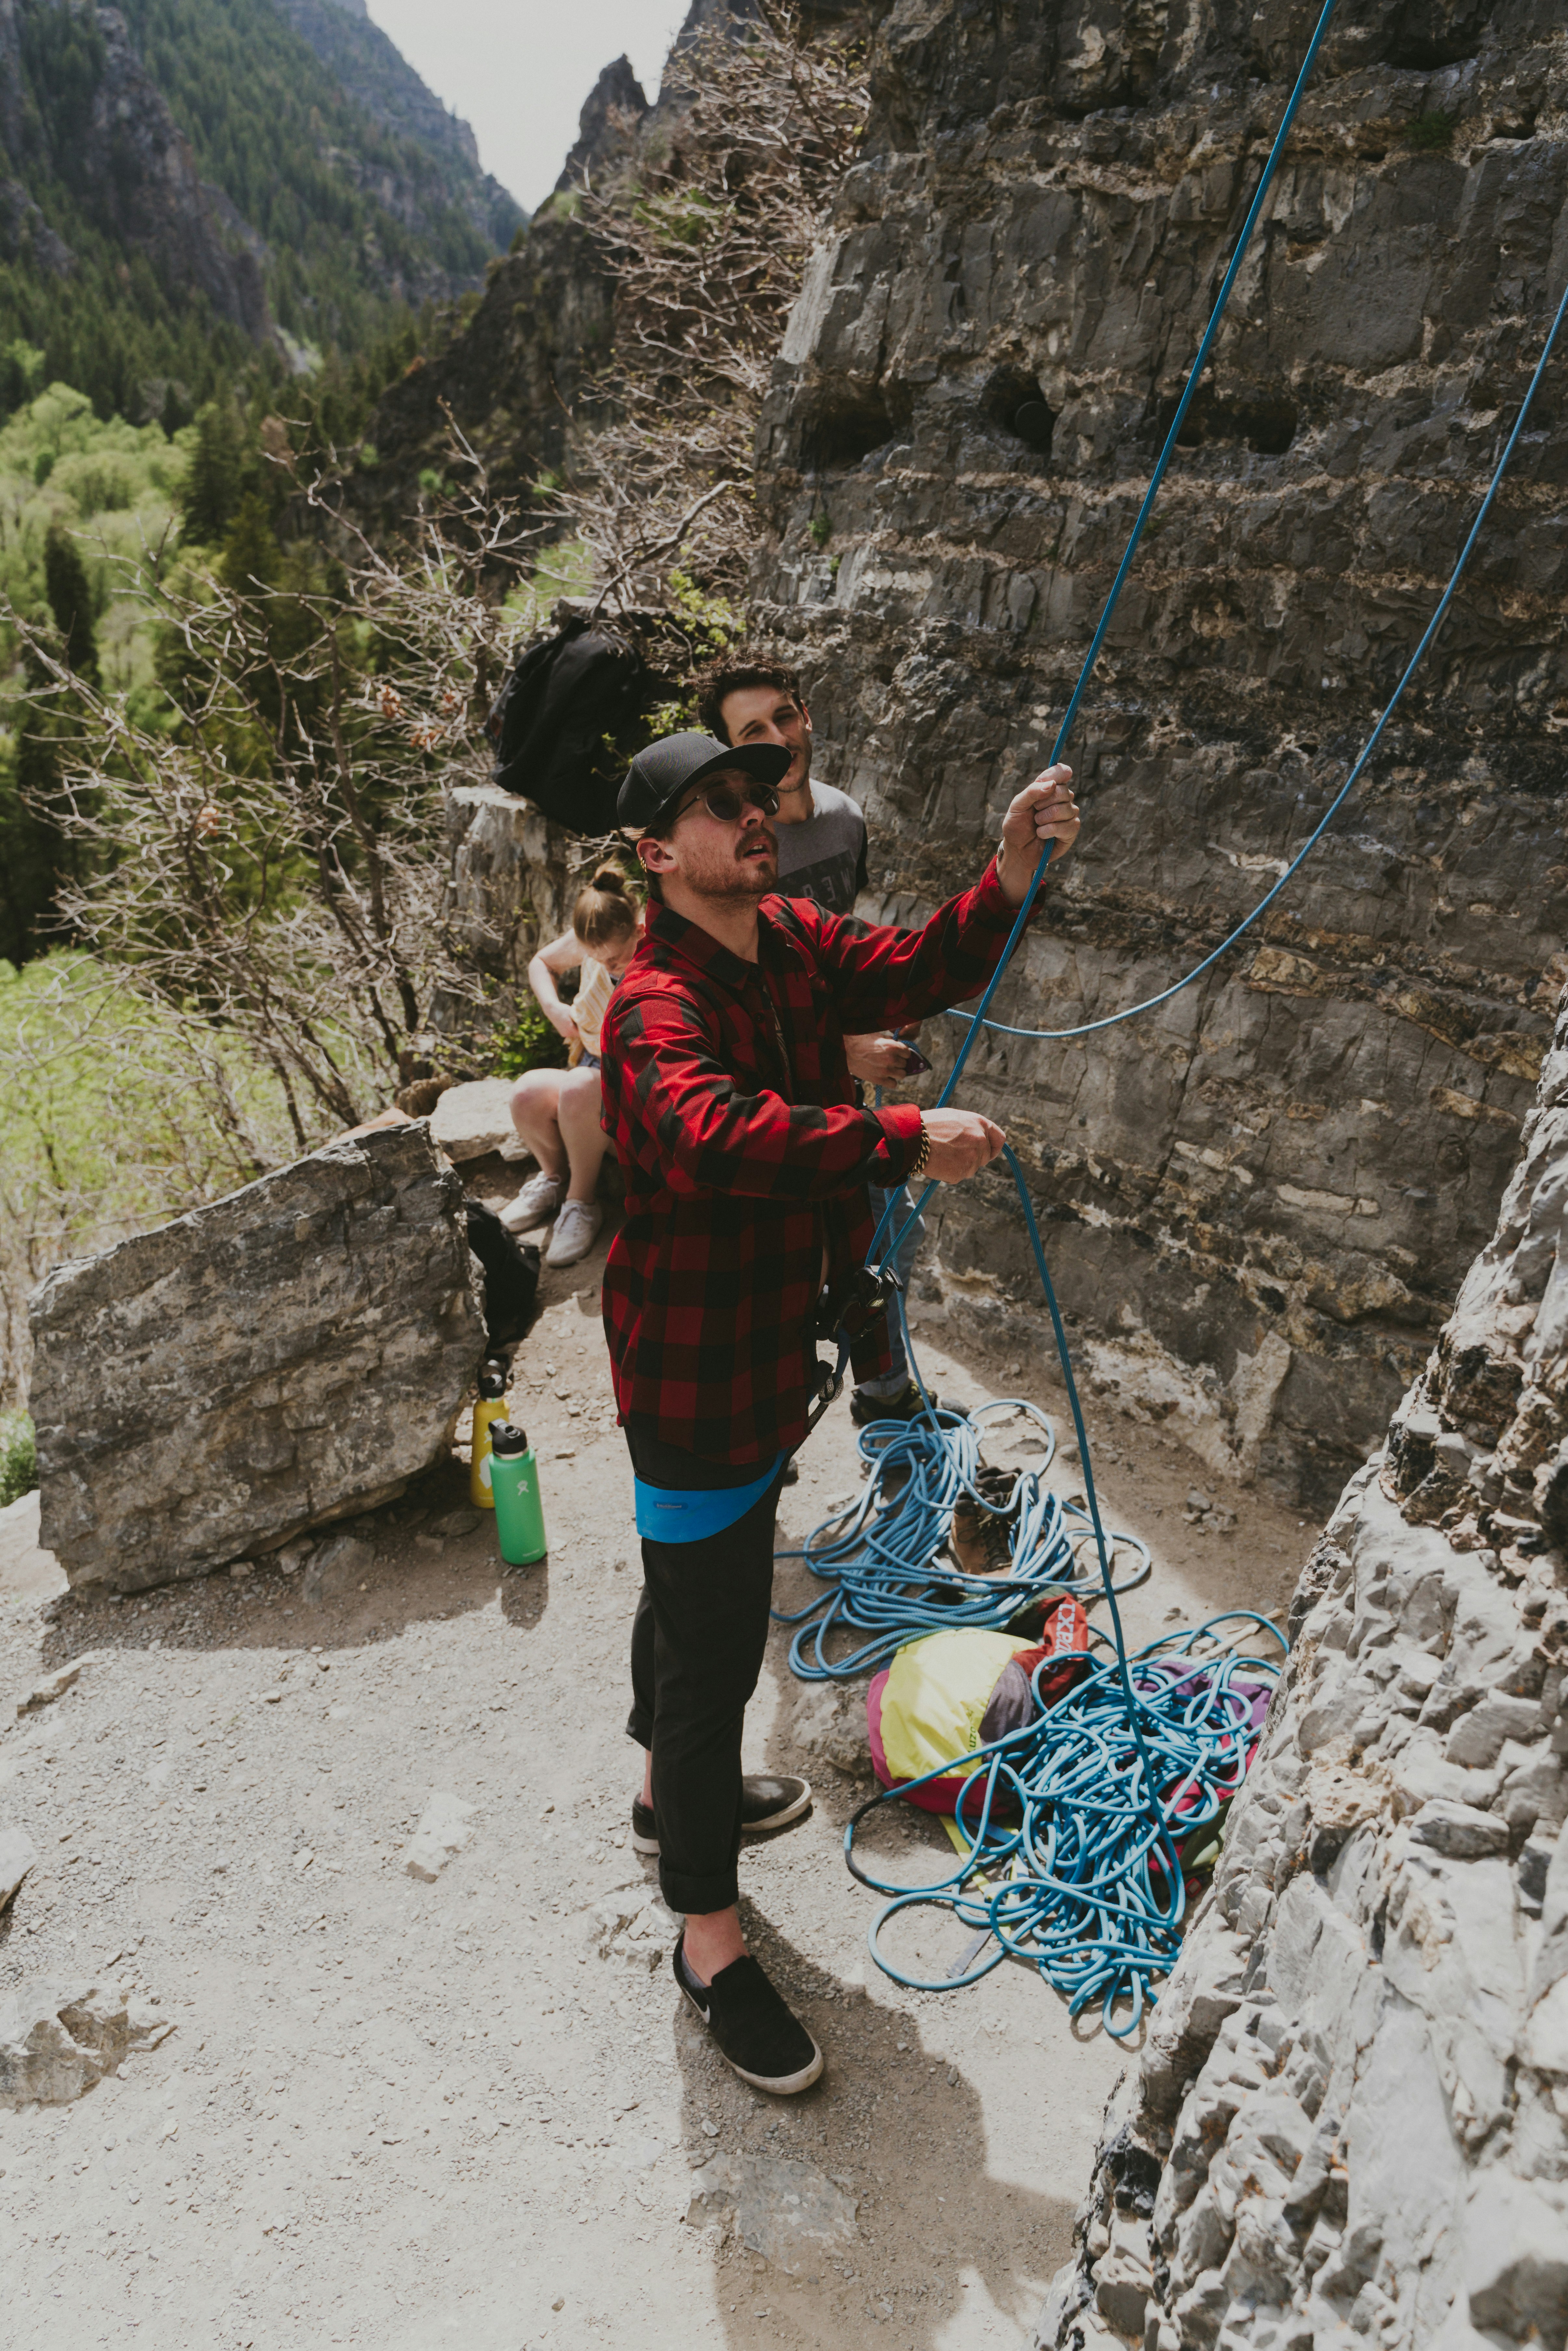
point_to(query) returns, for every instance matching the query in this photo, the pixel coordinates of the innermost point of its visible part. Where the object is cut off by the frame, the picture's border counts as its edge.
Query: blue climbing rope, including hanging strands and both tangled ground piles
(1092, 1880)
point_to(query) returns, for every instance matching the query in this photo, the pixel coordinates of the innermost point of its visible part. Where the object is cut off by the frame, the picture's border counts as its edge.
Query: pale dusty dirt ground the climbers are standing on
(410, 2115)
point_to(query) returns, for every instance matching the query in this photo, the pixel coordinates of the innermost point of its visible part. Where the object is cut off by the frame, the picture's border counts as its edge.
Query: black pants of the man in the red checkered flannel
(697, 1649)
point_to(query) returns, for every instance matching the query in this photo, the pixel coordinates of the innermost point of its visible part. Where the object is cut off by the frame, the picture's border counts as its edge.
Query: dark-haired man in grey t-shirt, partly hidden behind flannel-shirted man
(822, 855)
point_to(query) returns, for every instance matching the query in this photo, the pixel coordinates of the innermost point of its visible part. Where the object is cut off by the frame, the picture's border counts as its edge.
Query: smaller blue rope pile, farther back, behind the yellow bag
(878, 1550)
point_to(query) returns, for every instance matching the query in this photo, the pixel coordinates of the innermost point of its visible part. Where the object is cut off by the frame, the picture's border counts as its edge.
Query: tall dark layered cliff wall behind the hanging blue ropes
(1266, 1195)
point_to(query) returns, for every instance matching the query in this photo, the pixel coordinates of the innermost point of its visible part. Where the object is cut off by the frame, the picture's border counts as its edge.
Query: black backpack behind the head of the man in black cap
(570, 718)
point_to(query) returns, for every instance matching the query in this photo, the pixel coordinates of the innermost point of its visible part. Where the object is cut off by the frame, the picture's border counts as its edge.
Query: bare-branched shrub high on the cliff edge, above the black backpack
(709, 239)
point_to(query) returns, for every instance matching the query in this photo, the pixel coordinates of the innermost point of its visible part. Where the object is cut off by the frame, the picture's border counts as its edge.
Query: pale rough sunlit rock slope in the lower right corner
(1351, 2112)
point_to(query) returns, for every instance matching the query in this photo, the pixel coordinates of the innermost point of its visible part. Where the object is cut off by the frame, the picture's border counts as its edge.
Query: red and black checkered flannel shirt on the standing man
(744, 1151)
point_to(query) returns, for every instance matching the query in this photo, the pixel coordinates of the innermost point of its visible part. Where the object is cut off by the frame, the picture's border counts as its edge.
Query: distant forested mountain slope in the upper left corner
(187, 185)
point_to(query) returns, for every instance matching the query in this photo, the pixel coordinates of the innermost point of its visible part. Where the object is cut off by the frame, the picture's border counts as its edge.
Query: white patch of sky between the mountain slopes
(521, 69)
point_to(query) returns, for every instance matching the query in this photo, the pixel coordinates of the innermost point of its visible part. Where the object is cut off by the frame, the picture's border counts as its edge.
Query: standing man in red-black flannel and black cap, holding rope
(746, 1165)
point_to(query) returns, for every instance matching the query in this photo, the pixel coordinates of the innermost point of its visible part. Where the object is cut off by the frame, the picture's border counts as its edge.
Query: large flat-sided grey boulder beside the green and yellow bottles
(283, 1358)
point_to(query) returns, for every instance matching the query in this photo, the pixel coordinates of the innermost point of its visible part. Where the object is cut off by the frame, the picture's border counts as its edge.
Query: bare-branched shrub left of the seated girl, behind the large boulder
(269, 862)
